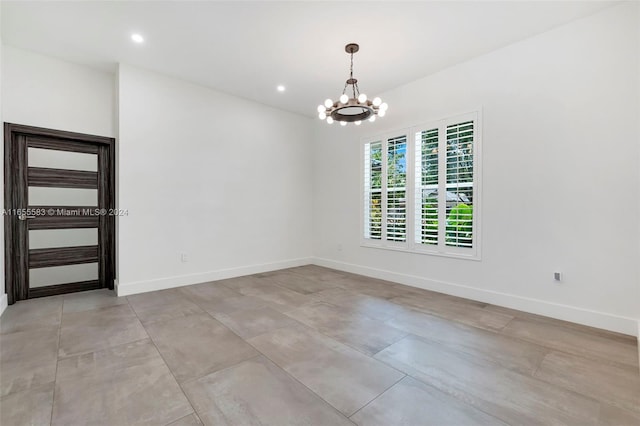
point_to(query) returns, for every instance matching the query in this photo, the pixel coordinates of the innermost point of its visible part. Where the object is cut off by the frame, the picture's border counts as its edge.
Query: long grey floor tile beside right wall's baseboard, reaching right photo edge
(574, 341)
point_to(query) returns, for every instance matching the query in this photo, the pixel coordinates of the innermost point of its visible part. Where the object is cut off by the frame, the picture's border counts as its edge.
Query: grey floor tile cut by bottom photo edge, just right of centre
(411, 402)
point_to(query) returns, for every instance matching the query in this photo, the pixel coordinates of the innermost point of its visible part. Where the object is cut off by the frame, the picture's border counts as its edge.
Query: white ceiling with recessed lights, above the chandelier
(248, 48)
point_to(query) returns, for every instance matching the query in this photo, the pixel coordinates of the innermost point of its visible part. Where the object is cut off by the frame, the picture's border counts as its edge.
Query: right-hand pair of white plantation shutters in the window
(445, 186)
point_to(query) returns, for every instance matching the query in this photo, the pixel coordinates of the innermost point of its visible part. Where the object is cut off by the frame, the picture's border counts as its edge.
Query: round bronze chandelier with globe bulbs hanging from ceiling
(352, 106)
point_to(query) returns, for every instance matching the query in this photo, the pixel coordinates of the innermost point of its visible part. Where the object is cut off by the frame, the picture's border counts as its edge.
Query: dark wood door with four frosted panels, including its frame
(59, 212)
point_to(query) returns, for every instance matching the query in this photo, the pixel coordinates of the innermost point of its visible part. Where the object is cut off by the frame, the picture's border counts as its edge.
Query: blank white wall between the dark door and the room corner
(224, 180)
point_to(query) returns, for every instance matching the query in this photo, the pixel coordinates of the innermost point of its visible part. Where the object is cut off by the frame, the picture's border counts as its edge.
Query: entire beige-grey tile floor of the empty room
(306, 346)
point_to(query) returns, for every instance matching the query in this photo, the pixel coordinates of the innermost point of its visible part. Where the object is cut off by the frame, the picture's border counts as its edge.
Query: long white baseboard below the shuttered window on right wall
(620, 324)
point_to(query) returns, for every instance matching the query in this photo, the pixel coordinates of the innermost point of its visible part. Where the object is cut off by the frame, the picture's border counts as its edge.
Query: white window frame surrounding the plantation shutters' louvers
(413, 189)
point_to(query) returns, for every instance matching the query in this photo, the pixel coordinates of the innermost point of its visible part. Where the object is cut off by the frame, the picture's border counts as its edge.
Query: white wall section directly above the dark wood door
(47, 92)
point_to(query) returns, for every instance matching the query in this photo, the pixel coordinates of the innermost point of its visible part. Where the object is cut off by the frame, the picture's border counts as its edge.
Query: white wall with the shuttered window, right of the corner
(560, 183)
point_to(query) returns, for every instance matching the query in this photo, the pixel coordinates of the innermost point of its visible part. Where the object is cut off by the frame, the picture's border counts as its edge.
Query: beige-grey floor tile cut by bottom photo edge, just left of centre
(257, 392)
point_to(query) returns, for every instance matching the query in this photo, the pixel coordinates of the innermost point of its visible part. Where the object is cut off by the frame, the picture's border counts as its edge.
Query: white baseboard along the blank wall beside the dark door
(126, 289)
